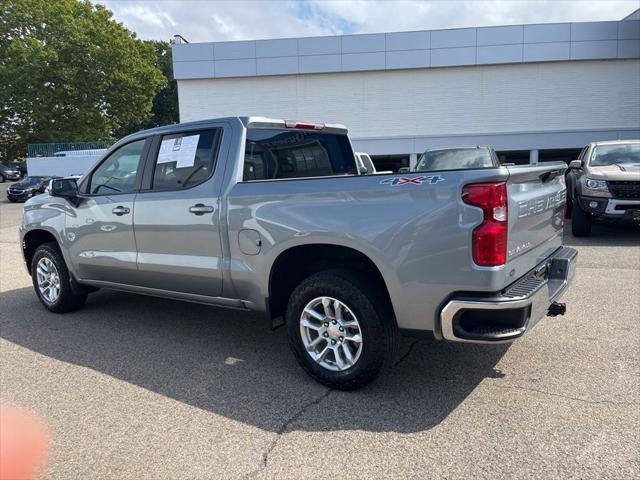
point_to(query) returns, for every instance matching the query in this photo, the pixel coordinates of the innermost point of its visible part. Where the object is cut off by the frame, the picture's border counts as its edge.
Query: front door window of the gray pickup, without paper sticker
(117, 174)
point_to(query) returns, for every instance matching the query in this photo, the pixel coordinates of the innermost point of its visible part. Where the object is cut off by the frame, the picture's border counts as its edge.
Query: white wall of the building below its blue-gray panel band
(496, 99)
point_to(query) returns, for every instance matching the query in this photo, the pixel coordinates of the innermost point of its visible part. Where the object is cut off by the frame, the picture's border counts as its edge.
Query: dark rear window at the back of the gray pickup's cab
(273, 154)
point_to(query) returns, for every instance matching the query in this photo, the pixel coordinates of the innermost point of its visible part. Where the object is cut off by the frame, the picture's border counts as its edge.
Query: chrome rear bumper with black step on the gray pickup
(507, 315)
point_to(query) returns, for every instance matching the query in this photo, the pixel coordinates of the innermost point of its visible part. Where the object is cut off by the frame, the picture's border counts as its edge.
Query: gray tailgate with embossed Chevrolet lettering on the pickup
(537, 195)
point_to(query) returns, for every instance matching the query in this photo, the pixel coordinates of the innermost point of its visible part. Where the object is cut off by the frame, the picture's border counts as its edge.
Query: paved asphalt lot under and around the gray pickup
(137, 387)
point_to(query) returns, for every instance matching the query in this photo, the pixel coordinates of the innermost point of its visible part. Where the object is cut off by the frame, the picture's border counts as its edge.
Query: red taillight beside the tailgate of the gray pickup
(490, 237)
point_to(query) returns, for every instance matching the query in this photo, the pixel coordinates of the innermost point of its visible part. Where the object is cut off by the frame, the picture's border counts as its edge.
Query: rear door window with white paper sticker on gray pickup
(185, 159)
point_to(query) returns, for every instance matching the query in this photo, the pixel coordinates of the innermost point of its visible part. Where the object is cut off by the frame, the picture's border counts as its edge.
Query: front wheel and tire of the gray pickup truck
(52, 281)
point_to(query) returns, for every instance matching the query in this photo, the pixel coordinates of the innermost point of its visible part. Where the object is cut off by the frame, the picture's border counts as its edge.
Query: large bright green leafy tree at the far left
(70, 72)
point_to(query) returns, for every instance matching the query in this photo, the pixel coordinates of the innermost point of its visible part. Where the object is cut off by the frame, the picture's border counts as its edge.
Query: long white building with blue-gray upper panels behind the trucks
(534, 92)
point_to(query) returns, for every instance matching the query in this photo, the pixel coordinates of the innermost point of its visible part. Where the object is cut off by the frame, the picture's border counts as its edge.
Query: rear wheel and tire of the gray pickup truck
(340, 332)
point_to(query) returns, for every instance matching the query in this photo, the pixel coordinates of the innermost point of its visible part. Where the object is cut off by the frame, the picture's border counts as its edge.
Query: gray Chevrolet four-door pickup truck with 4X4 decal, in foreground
(270, 215)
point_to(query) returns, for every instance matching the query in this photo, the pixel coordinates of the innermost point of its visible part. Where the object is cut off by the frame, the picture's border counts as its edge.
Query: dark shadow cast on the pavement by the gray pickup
(232, 364)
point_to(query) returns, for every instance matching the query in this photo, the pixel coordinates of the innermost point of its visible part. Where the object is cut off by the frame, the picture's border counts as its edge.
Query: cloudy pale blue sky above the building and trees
(224, 20)
